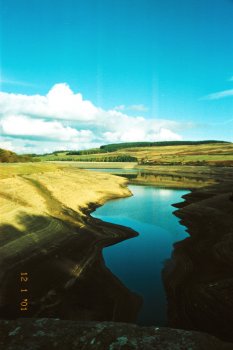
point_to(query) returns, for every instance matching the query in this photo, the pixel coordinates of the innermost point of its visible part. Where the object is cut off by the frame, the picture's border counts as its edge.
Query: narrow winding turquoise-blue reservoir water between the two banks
(138, 261)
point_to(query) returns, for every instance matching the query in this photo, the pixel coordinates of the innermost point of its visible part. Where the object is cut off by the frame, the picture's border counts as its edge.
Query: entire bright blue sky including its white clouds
(148, 69)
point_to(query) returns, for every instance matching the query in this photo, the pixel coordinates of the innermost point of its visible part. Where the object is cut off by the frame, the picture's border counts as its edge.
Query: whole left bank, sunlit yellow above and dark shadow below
(46, 234)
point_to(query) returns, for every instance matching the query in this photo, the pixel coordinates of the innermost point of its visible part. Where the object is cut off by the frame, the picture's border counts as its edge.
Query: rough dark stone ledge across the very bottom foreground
(43, 334)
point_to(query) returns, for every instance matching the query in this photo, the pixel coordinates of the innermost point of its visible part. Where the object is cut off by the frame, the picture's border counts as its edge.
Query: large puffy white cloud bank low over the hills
(63, 120)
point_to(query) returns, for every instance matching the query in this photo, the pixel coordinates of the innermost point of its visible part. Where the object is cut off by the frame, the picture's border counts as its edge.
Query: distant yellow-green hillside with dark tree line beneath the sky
(186, 153)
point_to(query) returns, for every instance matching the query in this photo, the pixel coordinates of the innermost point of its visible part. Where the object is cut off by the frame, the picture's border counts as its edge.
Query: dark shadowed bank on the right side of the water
(199, 277)
